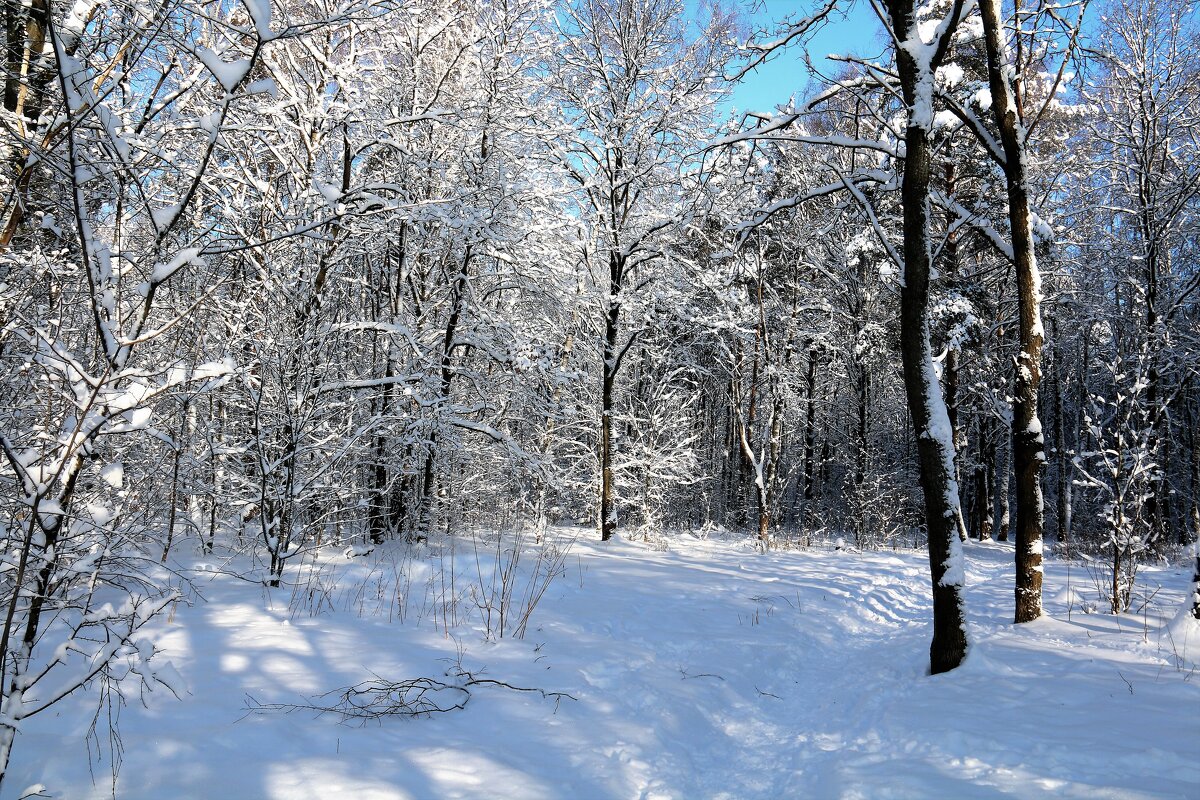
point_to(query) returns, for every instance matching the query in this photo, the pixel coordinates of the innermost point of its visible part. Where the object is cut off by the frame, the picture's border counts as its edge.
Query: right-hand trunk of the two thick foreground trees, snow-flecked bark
(1029, 448)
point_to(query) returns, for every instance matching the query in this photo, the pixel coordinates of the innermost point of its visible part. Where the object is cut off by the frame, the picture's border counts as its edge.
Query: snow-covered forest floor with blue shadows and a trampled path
(707, 671)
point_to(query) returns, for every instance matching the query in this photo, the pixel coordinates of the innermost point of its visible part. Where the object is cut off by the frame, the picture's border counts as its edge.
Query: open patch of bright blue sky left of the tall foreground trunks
(850, 32)
